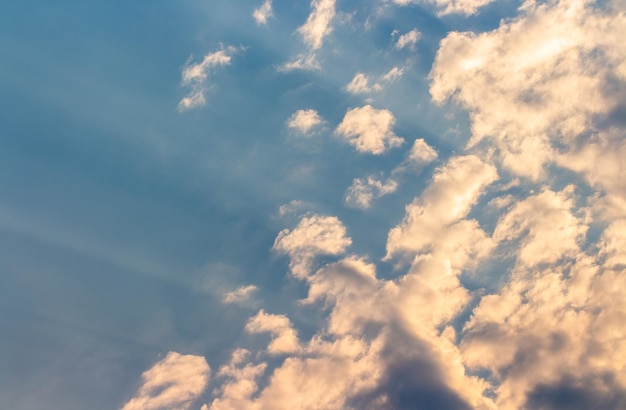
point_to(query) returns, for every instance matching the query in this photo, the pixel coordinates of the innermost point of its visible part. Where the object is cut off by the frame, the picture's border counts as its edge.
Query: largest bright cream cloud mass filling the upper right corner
(540, 83)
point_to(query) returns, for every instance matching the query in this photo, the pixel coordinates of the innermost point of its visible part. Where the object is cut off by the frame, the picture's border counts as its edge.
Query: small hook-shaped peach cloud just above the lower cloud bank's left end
(285, 338)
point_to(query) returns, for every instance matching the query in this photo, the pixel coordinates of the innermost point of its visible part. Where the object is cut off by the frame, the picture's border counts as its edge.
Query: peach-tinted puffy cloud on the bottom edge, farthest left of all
(174, 382)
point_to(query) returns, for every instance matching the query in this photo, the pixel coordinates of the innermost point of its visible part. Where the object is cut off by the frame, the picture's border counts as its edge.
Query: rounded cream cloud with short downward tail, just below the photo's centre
(315, 235)
